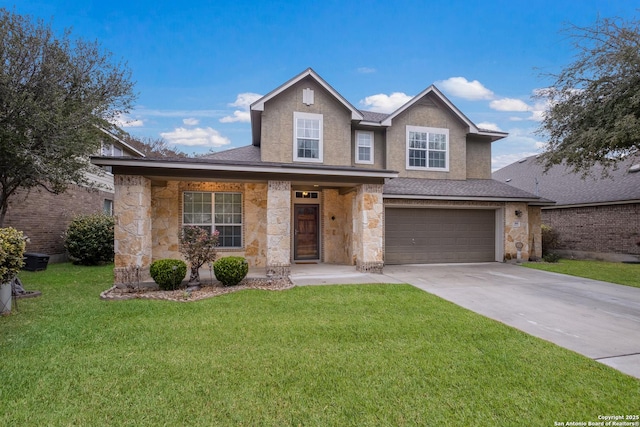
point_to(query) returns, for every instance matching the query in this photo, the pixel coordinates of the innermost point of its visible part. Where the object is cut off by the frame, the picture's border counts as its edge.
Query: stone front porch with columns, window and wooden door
(346, 228)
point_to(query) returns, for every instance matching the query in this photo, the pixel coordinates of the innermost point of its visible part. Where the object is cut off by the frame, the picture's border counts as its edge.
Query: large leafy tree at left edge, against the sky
(55, 93)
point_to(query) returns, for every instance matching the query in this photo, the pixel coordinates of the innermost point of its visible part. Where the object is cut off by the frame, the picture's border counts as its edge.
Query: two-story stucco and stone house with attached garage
(325, 182)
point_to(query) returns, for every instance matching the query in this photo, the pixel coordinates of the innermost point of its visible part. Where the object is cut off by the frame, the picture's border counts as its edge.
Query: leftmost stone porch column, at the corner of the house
(132, 231)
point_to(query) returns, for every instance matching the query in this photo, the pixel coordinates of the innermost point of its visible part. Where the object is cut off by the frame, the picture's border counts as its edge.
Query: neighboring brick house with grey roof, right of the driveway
(595, 216)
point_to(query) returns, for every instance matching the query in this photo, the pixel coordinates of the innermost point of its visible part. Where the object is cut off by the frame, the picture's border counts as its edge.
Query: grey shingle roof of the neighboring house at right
(568, 188)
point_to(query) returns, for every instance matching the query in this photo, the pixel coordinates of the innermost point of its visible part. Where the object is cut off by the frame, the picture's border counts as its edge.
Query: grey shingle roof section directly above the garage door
(471, 188)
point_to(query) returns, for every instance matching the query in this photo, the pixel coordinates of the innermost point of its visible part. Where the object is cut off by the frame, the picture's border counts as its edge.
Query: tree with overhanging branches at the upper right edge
(594, 114)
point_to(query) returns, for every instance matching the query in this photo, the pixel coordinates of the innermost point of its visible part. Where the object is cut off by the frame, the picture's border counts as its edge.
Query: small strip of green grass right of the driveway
(612, 272)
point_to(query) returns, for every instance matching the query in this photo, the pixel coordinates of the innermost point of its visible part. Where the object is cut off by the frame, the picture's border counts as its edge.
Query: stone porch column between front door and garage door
(369, 228)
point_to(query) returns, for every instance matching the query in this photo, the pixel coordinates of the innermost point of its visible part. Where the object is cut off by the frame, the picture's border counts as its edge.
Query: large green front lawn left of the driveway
(351, 355)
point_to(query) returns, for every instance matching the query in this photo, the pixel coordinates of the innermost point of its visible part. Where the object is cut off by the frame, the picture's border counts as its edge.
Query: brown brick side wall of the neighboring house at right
(607, 229)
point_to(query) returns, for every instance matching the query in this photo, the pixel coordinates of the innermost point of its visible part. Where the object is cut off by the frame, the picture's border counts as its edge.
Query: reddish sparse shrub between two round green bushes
(198, 247)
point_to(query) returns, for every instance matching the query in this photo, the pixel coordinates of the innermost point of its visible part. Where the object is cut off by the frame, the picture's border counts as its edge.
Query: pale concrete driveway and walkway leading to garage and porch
(596, 319)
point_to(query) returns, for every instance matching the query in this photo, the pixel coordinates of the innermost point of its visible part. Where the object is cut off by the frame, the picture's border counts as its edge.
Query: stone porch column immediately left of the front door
(278, 228)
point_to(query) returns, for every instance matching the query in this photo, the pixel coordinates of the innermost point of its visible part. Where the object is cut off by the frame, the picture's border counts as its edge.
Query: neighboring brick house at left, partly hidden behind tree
(44, 216)
